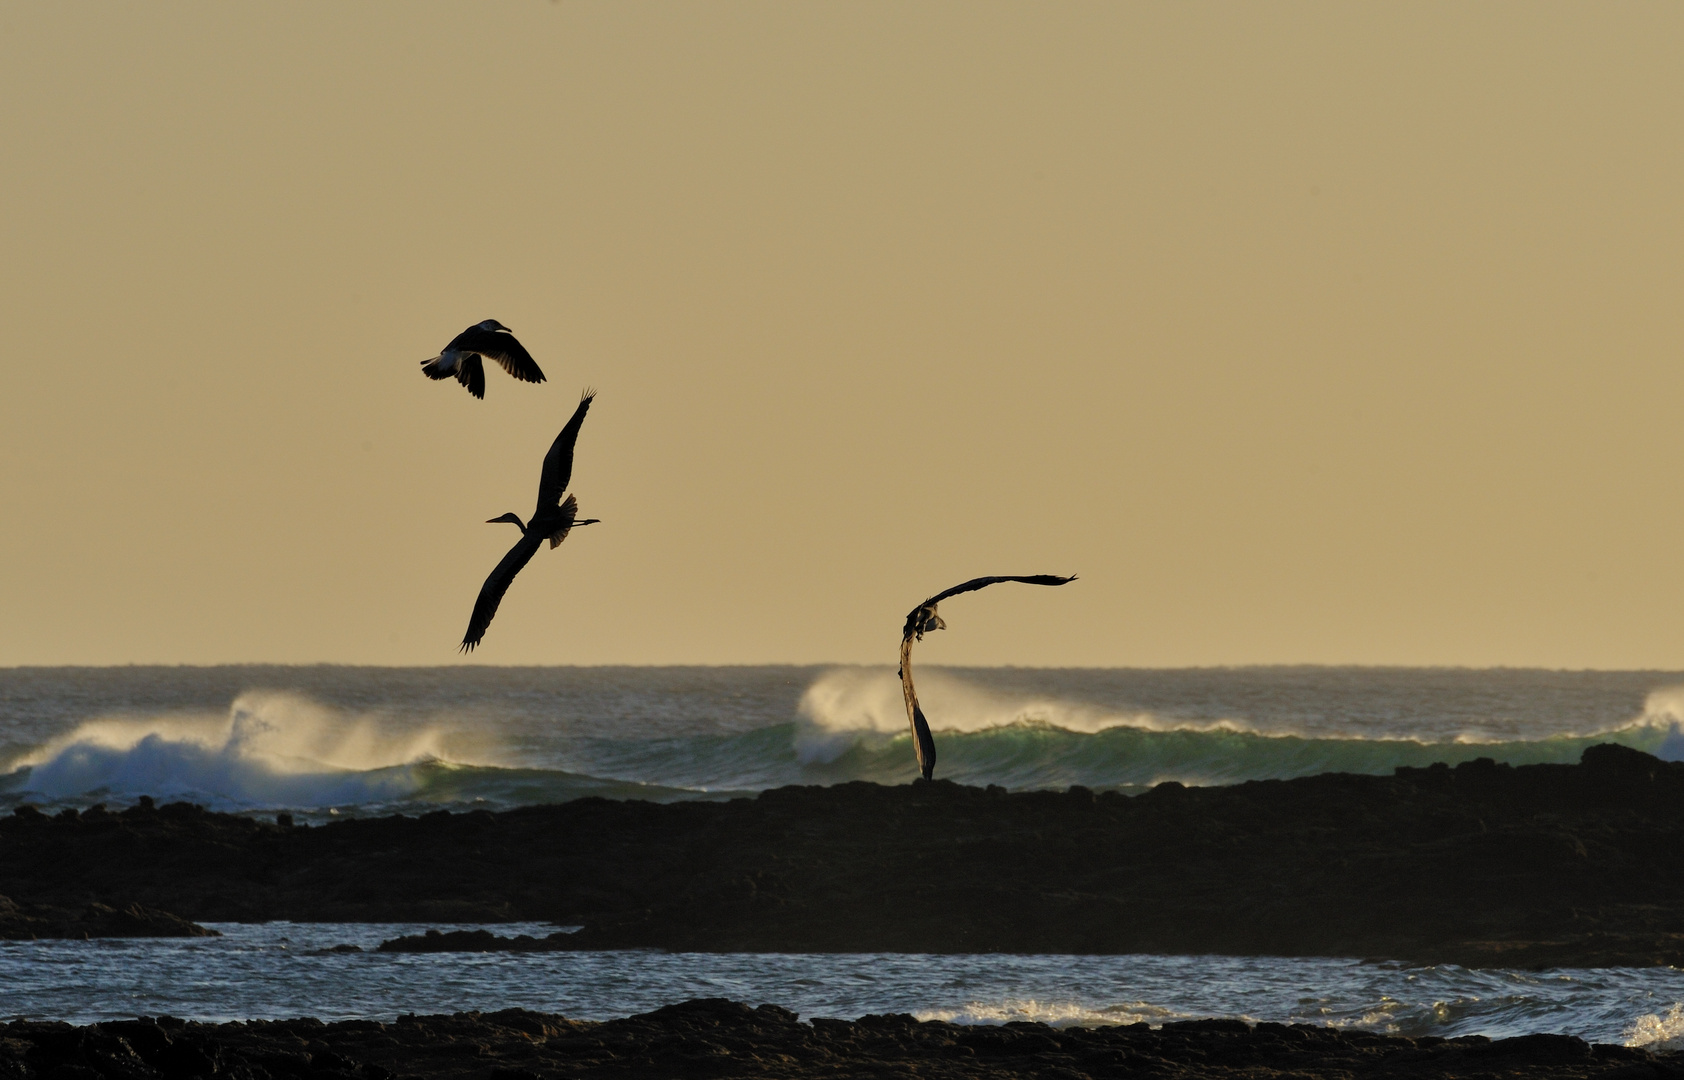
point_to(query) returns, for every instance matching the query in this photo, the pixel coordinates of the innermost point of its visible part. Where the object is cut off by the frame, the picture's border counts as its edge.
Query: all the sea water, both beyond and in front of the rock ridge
(338, 742)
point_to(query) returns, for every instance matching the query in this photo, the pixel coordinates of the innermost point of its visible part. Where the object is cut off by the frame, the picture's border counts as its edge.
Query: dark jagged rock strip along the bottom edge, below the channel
(723, 1039)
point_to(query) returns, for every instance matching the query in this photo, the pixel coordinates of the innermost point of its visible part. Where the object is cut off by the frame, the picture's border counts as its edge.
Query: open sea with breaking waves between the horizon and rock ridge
(344, 740)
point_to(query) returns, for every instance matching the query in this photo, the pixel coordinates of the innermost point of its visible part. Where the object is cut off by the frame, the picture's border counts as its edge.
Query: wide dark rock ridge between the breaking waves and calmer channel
(1483, 865)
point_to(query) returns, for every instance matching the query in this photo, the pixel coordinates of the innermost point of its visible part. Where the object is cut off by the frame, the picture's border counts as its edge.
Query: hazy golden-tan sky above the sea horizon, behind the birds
(1304, 333)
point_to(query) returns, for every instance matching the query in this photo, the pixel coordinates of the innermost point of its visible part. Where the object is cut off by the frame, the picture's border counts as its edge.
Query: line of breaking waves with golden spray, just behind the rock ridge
(277, 751)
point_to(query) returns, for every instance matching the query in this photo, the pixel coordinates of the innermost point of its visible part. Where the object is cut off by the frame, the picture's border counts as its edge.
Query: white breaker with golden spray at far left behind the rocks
(272, 749)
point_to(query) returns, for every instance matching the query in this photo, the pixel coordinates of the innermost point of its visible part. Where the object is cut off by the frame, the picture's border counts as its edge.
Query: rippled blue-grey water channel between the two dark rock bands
(279, 971)
